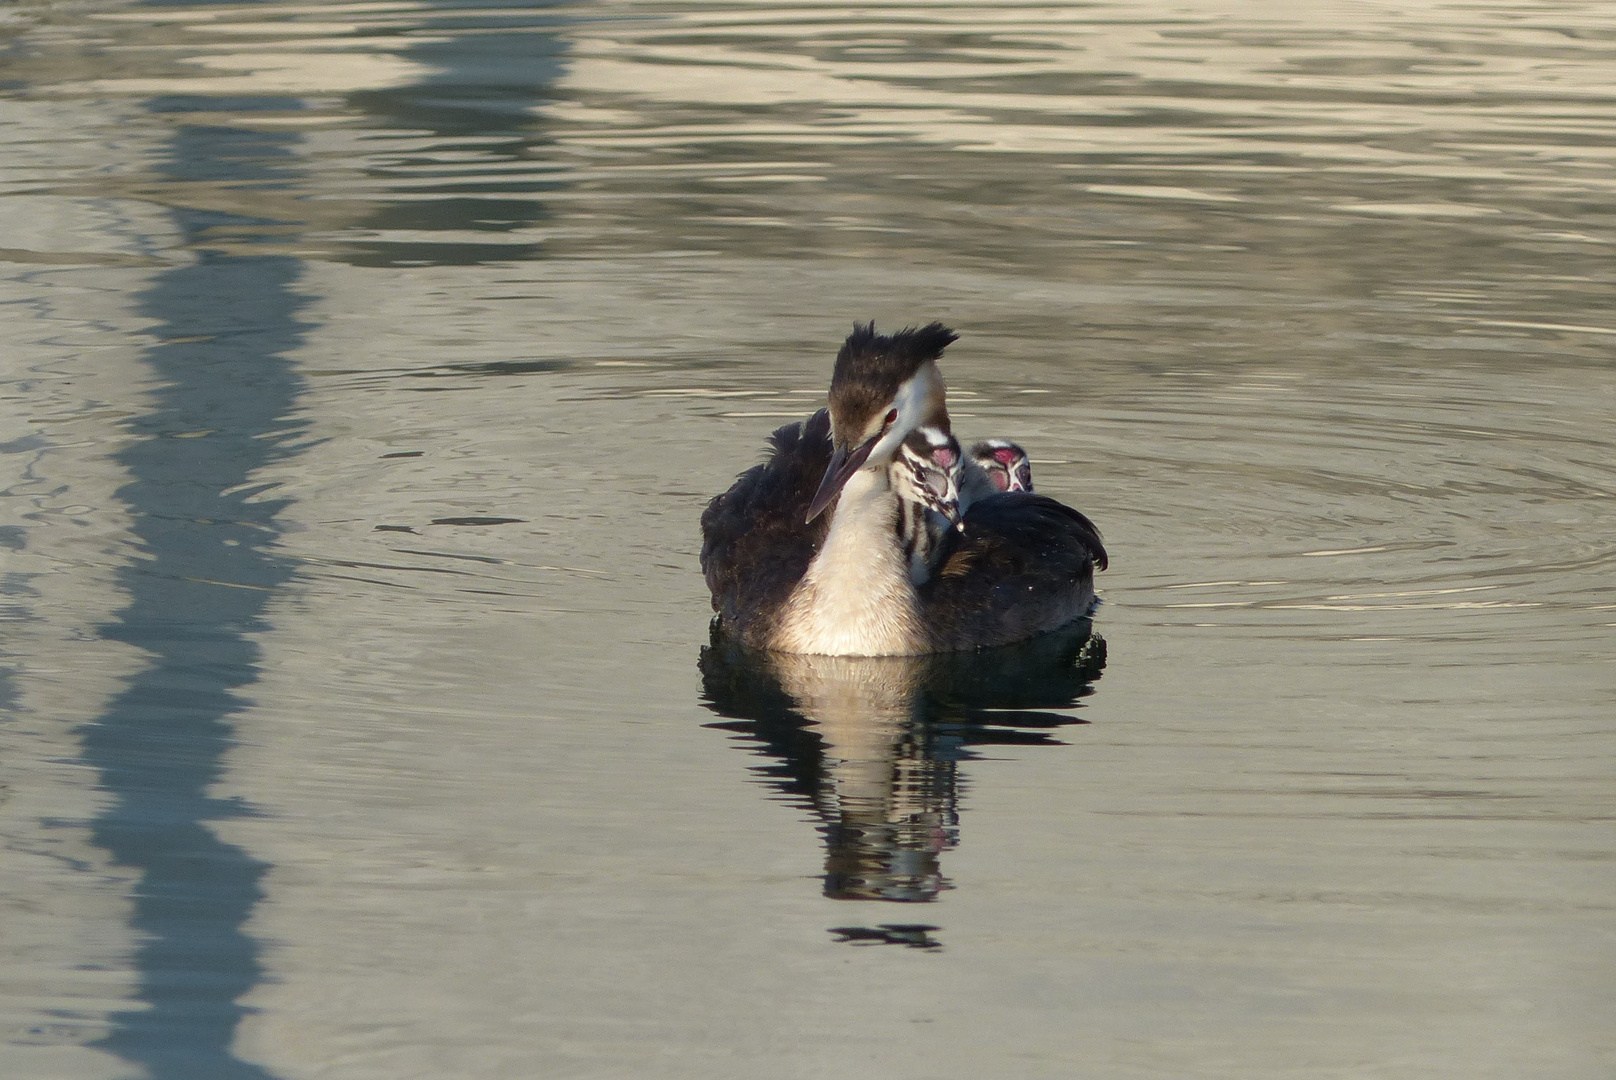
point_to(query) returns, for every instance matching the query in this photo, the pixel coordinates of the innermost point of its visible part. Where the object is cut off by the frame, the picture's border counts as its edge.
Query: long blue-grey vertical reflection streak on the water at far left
(224, 395)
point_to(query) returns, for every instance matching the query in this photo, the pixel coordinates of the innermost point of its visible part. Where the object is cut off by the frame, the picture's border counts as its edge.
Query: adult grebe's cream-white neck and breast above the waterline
(857, 597)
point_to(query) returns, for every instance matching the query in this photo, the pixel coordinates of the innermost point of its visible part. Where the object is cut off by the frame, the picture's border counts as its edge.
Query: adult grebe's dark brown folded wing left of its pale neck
(755, 544)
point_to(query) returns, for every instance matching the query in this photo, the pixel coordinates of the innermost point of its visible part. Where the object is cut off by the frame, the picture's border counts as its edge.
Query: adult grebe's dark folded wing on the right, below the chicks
(1022, 567)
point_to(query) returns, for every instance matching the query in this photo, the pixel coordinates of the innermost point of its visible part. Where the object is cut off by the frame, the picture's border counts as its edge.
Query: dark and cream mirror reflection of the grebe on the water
(873, 745)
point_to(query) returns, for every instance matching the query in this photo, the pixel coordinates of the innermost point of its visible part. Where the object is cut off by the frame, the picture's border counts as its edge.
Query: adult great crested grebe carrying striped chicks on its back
(806, 552)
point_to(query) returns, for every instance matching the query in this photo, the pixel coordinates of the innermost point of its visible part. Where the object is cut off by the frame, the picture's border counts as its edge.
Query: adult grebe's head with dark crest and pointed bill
(882, 390)
